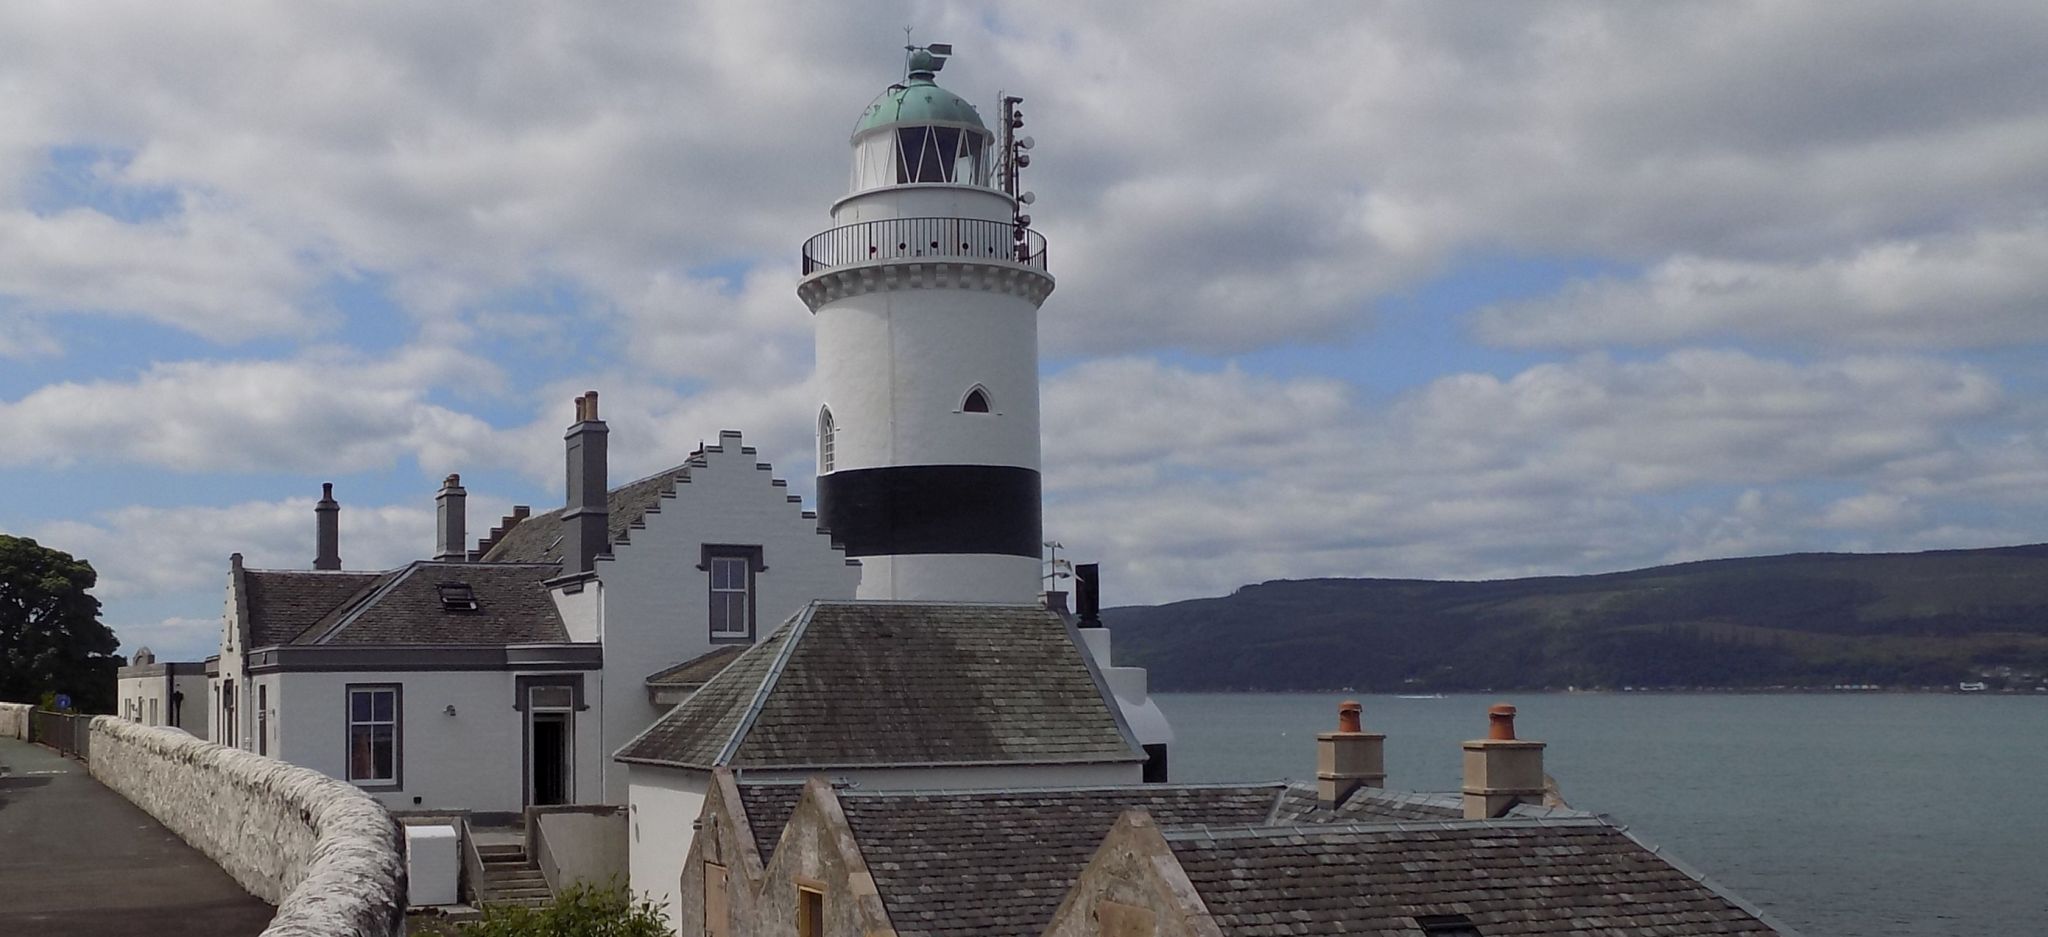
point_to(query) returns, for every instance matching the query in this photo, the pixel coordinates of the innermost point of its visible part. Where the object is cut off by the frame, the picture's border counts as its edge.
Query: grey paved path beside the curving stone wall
(81, 860)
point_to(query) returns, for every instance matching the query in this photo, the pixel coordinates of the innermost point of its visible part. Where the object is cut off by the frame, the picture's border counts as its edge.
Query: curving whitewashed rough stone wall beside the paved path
(327, 854)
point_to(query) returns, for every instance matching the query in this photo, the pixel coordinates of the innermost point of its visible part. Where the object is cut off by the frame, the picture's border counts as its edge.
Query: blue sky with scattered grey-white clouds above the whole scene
(1408, 289)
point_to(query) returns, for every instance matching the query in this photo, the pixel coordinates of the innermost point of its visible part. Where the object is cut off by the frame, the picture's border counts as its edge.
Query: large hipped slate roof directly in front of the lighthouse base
(849, 684)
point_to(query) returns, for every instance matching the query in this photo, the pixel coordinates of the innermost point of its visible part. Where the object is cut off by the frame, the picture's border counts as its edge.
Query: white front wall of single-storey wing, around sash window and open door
(472, 760)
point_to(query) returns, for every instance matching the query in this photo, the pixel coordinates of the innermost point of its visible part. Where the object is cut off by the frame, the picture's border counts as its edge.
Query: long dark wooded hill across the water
(1801, 621)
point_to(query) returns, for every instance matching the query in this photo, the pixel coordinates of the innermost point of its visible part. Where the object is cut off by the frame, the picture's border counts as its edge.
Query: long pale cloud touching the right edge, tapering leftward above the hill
(1983, 289)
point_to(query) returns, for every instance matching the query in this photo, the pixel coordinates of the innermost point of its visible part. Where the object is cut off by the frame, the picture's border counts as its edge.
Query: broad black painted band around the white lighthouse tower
(933, 508)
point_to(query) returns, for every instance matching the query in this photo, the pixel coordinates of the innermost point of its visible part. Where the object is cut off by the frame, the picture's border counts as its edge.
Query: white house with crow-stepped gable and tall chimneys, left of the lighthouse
(505, 676)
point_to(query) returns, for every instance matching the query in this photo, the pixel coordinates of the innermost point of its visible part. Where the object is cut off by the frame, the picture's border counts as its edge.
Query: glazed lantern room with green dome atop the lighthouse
(919, 132)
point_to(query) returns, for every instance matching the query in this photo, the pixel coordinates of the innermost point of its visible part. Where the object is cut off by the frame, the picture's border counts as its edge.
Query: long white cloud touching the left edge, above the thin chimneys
(329, 412)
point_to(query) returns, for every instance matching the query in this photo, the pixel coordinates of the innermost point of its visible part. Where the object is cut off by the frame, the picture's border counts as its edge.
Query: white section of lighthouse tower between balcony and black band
(896, 365)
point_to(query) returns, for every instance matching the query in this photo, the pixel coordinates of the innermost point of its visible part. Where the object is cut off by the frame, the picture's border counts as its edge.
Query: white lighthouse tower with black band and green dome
(925, 298)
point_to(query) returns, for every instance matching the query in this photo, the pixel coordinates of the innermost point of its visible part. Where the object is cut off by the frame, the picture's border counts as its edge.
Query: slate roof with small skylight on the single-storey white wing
(447, 605)
